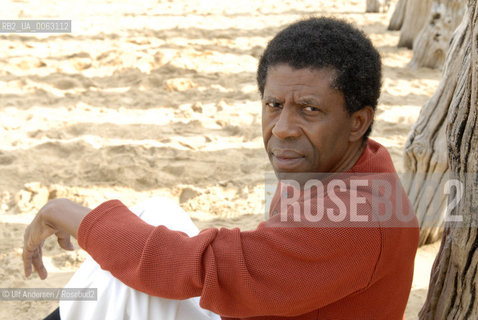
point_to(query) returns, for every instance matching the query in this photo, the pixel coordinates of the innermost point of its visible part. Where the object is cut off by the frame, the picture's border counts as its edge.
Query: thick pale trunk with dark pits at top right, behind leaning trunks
(431, 44)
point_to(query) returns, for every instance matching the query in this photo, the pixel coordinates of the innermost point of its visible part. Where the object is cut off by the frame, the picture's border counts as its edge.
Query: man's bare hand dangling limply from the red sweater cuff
(60, 217)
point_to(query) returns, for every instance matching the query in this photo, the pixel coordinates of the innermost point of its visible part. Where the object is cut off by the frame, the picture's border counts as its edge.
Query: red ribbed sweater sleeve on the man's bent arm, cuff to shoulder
(266, 271)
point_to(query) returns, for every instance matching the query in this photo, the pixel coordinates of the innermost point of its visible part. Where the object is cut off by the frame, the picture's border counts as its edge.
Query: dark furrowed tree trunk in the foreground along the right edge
(453, 286)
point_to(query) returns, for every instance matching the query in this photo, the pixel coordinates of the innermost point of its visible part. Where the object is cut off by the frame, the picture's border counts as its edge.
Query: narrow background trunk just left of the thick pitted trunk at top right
(415, 18)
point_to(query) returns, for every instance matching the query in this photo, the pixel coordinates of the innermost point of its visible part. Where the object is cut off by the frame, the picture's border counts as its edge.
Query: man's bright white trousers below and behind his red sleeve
(118, 301)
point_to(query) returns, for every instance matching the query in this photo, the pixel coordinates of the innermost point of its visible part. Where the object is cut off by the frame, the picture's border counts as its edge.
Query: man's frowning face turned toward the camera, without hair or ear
(305, 125)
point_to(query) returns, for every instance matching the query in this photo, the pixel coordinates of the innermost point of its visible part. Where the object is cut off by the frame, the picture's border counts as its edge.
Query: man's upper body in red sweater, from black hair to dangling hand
(323, 253)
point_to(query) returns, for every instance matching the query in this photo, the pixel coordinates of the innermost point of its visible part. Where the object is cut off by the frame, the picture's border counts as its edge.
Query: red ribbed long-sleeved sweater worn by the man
(271, 272)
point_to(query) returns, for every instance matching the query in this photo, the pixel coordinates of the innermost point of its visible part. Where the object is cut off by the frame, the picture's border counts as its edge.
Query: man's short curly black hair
(329, 43)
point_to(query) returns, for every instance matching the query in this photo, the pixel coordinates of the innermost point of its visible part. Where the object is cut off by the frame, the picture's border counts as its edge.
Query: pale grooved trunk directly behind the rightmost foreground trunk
(426, 161)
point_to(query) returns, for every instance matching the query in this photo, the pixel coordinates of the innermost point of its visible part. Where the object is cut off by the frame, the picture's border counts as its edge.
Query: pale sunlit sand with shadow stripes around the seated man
(158, 98)
